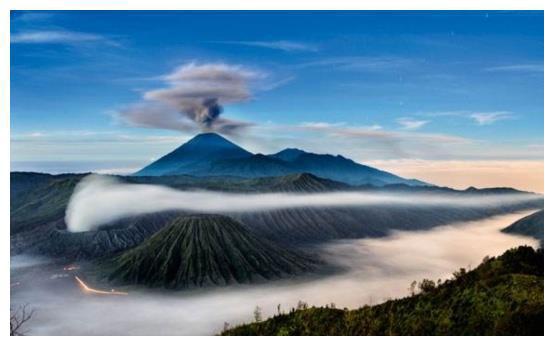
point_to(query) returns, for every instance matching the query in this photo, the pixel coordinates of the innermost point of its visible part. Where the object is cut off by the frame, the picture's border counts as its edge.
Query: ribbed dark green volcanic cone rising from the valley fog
(205, 250)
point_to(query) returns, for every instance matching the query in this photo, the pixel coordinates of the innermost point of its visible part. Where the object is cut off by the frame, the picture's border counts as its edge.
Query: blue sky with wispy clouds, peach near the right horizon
(453, 98)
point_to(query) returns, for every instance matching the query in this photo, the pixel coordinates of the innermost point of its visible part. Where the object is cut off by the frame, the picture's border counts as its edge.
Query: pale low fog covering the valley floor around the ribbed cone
(377, 269)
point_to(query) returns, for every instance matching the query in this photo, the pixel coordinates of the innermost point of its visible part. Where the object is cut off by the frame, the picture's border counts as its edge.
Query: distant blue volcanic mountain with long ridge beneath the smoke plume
(210, 154)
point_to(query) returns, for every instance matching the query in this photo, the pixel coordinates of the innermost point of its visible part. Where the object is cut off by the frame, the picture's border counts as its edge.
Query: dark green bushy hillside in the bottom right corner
(503, 296)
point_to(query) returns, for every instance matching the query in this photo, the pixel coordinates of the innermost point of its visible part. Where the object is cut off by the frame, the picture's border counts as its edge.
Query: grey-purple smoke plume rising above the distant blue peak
(193, 97)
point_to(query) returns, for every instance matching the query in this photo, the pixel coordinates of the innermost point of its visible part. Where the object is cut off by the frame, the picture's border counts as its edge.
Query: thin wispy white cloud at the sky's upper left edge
(58, 37)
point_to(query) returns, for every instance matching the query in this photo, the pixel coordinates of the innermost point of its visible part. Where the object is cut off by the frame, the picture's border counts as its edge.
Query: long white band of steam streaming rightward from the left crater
(98, 200)
